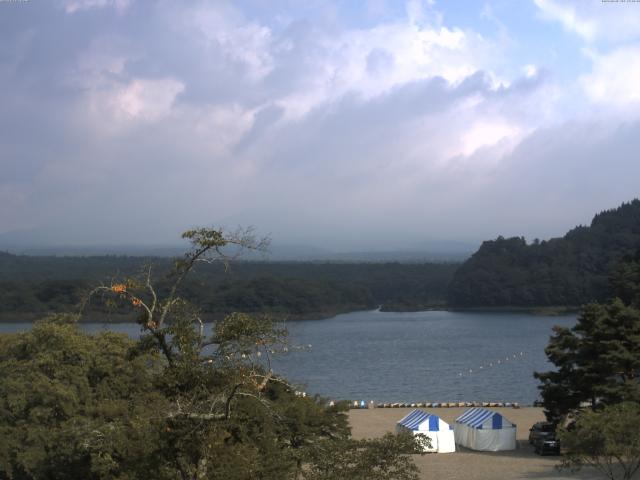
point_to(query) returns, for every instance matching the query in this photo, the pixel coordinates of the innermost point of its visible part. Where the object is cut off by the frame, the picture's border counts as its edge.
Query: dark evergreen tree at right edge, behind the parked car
(597, 360)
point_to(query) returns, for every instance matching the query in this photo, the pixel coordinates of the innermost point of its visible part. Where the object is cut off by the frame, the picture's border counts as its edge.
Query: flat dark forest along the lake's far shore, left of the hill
(34, 285)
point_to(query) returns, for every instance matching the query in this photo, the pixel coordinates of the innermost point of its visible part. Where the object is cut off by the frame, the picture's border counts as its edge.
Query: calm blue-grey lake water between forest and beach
(411, 357)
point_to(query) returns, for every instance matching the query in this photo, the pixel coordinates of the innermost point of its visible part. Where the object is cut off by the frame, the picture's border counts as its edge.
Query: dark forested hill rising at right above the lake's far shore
(568, 271)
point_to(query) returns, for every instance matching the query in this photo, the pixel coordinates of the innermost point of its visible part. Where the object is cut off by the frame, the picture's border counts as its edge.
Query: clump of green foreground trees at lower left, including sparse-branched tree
(181, 402)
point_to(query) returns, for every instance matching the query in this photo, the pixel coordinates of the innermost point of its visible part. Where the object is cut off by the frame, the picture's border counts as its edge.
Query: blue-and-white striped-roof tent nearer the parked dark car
(485, 430)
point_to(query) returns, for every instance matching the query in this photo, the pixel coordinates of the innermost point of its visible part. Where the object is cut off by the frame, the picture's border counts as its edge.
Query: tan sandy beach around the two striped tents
(466, 464)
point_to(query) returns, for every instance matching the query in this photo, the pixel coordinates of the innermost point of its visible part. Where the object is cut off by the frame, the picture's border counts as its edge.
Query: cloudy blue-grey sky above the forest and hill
(357, 125)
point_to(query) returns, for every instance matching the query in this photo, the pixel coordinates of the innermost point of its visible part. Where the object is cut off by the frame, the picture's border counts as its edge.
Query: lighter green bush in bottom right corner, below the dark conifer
(607, 440)
